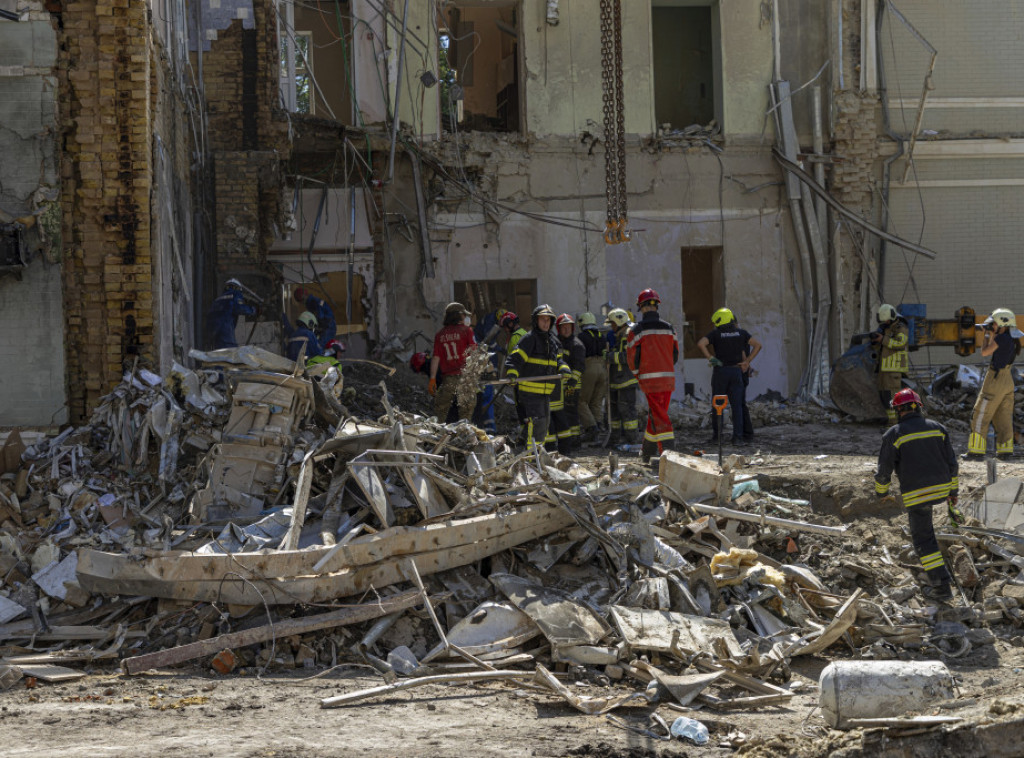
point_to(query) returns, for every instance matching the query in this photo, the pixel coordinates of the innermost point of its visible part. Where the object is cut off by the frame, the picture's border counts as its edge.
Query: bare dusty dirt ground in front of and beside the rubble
(195, 712)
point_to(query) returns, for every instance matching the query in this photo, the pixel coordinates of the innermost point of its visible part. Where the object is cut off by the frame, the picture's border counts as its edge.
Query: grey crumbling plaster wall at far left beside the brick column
(32, 357)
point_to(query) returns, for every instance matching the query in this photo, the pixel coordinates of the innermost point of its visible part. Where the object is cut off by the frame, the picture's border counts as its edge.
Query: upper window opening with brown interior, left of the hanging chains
(480, 66)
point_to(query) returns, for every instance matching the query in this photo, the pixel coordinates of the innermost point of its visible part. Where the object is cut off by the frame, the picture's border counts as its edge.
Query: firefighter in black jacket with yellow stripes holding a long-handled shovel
(536, 355)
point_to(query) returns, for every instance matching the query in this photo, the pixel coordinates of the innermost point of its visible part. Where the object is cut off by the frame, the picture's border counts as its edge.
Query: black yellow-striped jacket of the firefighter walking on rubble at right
(920, 452)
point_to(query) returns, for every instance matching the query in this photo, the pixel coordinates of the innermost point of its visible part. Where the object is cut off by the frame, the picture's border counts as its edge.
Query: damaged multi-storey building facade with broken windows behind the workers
(151, 151)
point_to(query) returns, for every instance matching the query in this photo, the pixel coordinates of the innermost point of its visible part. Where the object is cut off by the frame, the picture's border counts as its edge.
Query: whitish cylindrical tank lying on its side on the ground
(852, 690)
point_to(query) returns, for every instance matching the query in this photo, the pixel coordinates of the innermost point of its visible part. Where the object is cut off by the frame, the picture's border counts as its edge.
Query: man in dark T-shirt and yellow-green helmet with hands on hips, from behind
(735, 350)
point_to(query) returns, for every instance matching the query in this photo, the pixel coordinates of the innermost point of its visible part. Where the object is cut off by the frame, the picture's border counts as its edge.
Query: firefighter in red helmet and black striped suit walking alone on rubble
(920, 452)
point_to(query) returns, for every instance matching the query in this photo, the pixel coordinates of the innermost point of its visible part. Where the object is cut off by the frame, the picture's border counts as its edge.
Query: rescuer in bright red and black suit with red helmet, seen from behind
(653, 352)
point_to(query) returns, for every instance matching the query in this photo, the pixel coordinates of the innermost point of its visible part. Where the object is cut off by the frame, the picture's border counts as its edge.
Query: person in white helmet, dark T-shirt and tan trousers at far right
(995, 405)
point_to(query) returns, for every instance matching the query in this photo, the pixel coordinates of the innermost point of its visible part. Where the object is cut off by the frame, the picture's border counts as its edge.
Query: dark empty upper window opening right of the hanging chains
(687, 55)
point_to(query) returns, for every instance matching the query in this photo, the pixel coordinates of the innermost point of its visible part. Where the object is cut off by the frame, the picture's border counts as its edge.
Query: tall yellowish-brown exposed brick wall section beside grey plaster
(107, 177)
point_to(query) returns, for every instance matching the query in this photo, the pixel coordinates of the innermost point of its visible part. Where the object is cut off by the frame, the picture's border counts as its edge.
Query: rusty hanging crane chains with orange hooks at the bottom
(616, 228)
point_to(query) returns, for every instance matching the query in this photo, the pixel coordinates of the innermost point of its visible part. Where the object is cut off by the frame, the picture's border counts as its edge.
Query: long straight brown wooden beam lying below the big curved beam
(284, 628)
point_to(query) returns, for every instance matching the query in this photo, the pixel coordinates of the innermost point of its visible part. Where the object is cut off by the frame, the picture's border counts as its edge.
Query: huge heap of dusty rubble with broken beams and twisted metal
(221, 516)
